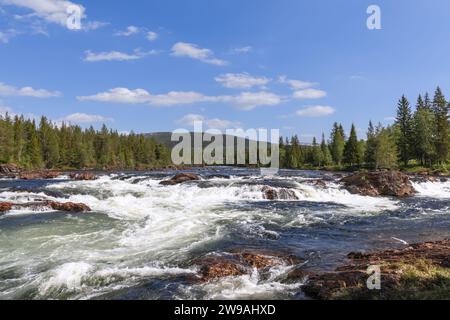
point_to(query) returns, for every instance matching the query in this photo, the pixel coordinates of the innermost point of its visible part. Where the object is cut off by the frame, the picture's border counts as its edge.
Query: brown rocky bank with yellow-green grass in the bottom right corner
(420, 271)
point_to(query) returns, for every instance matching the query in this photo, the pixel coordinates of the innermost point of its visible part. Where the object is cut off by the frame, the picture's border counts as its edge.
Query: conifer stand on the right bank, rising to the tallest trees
(419, 137)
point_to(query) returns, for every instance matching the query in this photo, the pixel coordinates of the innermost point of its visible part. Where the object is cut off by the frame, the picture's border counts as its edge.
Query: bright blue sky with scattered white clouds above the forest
(157, 65)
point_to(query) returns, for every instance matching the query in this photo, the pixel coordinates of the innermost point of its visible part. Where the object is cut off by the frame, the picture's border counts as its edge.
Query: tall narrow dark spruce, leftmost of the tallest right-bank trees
(405, 130)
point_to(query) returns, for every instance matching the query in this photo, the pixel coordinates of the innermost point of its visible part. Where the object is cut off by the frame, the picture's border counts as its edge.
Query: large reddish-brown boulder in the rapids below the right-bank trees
(380, 183)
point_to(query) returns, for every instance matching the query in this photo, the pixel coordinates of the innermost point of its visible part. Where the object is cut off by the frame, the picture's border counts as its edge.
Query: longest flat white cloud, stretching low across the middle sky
(244, 101)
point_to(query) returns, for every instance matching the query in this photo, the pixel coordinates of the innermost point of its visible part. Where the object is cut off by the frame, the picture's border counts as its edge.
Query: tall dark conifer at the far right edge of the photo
(441, 110)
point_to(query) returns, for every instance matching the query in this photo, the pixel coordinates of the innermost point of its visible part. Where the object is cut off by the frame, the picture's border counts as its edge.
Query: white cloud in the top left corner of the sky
(54, 11)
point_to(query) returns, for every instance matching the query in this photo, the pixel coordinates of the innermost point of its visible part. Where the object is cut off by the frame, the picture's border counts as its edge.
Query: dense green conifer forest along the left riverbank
(51, 146)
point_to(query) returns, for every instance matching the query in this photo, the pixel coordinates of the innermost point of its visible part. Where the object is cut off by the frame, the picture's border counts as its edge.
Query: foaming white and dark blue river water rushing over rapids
(140, 239)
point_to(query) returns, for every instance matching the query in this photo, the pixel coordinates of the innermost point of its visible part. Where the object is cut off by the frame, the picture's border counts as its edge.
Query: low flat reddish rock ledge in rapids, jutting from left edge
(44, 205)
